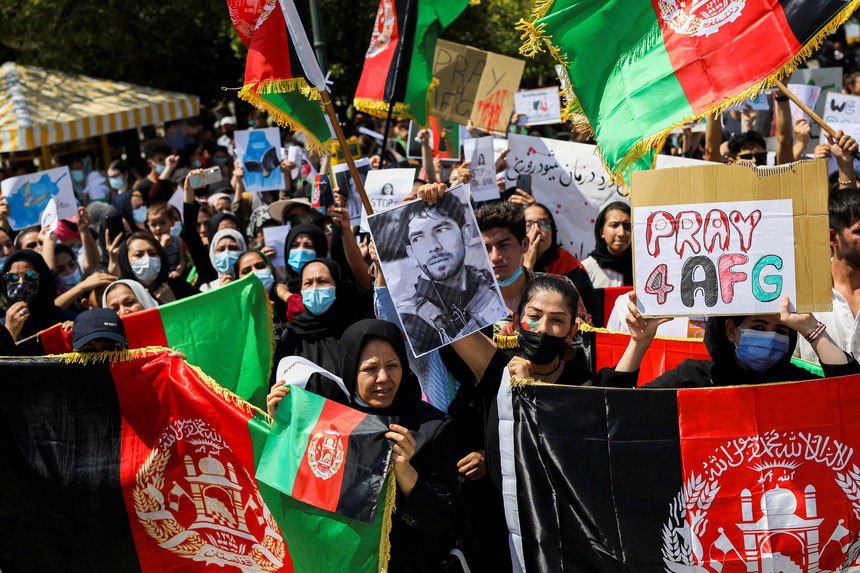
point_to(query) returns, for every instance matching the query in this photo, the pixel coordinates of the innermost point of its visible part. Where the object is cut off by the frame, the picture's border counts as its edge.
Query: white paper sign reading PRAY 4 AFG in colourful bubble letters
(714, 258)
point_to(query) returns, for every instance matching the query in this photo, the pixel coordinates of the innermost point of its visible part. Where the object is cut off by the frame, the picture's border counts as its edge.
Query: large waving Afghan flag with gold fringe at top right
(663, 63)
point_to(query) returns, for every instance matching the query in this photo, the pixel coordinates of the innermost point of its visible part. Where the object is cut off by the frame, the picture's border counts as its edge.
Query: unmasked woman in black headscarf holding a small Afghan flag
(375, 371)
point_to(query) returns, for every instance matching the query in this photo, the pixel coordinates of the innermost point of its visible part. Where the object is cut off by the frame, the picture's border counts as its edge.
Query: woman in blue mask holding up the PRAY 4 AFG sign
(752, 349)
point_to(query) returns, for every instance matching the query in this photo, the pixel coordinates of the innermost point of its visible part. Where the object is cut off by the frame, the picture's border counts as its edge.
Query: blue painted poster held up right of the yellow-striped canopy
(259, 151)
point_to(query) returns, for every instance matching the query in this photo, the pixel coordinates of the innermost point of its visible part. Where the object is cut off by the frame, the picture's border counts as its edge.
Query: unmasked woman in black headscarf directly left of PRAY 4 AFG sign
(610, 264)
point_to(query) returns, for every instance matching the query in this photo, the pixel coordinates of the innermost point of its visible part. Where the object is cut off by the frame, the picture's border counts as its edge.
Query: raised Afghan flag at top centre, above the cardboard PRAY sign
(398, 65)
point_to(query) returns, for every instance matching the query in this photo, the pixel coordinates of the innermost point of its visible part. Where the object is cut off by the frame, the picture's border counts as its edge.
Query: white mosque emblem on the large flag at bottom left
(195, 499)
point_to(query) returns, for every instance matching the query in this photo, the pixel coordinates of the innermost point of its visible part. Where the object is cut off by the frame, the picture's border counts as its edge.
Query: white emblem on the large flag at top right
(699, 17)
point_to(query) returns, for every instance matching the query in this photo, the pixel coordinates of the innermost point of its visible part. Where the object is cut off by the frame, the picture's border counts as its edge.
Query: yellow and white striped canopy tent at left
(39, 107)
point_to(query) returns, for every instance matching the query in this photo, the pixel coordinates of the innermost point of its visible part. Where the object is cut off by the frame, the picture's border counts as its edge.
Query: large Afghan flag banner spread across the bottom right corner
(725, 480)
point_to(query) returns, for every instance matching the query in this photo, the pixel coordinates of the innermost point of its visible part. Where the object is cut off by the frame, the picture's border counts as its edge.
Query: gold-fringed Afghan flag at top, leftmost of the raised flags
(271, 83)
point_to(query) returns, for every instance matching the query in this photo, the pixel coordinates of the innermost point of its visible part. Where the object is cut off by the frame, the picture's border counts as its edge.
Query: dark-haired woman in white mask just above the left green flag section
(142, 258)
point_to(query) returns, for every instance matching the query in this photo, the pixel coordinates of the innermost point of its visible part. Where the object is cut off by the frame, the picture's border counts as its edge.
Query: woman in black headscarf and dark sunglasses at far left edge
(30, 288)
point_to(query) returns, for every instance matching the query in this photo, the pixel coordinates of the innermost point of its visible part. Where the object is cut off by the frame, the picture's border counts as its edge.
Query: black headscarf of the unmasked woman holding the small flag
(408, 395)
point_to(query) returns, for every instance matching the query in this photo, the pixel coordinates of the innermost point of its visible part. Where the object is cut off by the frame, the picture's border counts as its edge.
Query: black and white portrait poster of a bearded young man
(437, 270)
